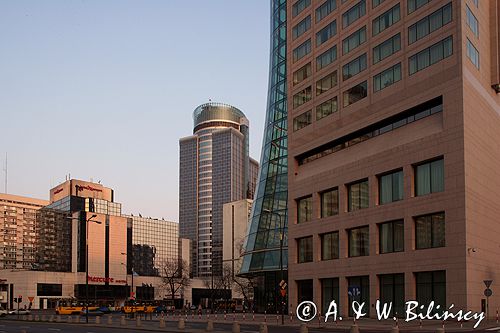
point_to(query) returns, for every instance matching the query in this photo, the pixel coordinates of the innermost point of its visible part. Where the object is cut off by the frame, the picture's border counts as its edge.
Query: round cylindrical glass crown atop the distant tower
(213, 112)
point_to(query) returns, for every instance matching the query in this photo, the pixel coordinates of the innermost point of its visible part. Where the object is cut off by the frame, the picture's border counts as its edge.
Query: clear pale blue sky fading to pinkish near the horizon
(105, 89)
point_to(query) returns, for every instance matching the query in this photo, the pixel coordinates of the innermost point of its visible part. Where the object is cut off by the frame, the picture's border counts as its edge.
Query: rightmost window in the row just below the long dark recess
(429, 177)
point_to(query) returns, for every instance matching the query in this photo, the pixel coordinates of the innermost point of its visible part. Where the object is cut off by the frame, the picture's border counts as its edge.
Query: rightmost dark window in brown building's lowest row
(431, 286)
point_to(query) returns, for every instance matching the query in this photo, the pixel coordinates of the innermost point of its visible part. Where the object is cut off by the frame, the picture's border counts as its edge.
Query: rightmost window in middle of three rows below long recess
(430, 231)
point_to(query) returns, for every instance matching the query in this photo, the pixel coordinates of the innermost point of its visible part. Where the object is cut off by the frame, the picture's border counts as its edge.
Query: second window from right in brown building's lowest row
(392, 290)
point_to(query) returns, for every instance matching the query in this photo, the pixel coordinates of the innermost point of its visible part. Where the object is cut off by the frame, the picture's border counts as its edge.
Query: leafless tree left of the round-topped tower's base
(175, 275)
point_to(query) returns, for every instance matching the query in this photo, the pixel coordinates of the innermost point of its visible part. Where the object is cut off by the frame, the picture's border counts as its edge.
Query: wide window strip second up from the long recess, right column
(430, 23)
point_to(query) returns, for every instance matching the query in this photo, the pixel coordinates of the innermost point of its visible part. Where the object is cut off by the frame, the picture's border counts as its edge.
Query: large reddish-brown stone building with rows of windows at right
(393, 152)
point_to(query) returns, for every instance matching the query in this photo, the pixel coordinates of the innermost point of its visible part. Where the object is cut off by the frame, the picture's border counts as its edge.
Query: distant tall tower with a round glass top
(215, 168)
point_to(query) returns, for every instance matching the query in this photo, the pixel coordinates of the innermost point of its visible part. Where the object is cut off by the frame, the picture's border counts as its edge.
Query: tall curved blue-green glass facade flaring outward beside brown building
(269, 214)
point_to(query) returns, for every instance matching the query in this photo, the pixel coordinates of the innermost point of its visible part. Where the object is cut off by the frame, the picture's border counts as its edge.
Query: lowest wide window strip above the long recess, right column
(431, 55)
